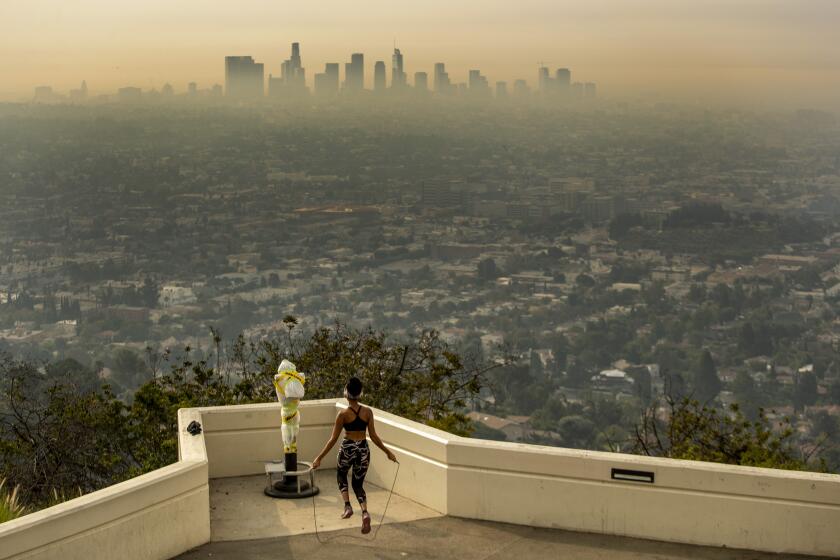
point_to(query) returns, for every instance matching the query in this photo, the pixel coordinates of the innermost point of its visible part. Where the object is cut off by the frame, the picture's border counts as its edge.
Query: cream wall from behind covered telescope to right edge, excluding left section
(689, 502)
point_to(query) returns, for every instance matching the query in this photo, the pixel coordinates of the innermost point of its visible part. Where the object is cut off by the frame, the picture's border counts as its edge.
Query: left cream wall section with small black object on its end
(154, 516)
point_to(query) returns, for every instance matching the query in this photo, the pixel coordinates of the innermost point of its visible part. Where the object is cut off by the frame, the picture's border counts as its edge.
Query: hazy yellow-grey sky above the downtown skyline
(747, 50)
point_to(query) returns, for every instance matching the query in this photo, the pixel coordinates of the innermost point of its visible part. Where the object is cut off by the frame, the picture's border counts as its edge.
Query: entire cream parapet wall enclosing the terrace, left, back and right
(163, 513)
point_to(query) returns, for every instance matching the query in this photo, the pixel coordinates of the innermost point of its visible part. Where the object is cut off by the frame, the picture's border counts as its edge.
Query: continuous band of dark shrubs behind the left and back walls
(57, 433)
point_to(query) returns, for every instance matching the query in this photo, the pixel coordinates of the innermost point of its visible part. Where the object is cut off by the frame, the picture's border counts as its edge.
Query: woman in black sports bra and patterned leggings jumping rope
(354, 451)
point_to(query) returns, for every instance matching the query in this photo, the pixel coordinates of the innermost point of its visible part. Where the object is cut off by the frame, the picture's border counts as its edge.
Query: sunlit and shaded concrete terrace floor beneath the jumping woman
(247, 525)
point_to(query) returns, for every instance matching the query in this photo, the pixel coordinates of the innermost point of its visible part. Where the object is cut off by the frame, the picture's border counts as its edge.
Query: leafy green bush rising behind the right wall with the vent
(691, 430)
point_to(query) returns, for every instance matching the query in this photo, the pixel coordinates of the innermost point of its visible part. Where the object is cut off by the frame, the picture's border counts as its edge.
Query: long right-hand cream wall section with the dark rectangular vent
(689, 502)
